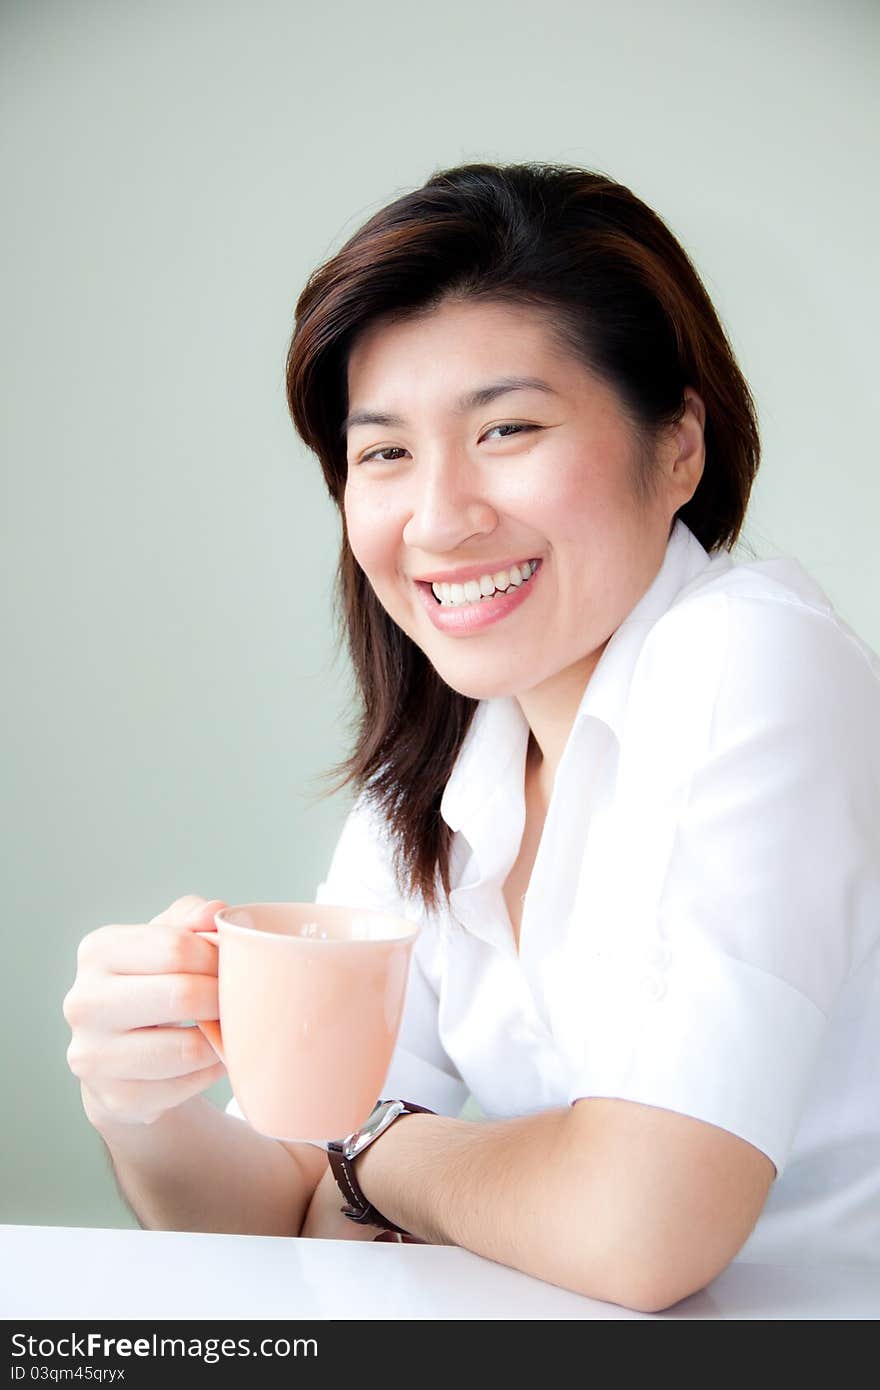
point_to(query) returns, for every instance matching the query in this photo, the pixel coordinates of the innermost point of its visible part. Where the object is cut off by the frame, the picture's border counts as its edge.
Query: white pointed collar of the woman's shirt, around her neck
(498, 733)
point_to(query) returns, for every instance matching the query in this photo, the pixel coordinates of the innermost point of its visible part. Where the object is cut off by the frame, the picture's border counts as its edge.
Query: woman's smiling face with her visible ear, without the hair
(444, 484)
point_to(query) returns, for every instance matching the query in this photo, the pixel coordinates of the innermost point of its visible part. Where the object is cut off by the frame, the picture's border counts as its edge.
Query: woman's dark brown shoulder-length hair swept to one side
(622, 297)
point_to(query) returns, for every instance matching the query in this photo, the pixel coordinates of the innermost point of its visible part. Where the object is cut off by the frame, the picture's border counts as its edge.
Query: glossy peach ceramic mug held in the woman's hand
(311, 1004)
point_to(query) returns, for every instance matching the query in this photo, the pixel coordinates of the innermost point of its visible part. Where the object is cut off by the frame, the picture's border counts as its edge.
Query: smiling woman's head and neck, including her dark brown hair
(508, 365)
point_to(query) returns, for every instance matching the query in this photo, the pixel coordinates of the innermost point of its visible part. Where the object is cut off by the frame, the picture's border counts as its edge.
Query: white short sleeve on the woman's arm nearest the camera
(712, 993)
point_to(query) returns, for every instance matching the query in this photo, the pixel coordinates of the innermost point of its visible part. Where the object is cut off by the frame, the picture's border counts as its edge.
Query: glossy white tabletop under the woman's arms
(76, 1274)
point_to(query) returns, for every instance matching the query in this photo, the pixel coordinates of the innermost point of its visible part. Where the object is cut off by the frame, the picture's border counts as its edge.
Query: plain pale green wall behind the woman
(172, 174)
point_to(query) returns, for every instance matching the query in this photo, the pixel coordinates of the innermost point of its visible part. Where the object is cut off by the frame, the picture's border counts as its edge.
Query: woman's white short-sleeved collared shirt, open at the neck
(703, 925)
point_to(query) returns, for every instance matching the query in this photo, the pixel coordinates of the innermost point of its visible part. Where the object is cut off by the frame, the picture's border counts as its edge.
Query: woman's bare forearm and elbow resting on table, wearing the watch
(615, 1200)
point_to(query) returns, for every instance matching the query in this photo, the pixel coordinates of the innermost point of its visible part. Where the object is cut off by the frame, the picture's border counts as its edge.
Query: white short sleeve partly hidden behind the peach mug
(361, 875)
